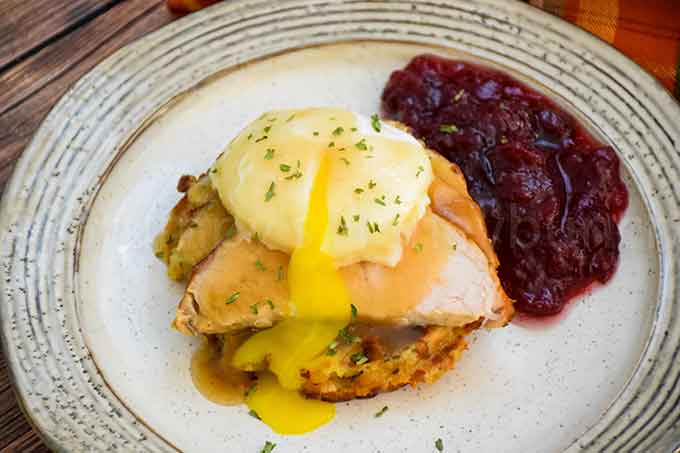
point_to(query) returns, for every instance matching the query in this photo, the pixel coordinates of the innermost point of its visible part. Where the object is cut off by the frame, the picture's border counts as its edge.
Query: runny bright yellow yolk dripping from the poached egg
(321, 307)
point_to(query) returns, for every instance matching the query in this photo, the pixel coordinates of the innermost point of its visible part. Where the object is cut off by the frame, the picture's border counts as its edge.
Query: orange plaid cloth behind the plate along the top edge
(648, 31)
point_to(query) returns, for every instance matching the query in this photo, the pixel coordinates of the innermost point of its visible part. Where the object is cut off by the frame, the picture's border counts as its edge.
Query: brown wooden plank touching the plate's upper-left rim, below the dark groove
(54, 69)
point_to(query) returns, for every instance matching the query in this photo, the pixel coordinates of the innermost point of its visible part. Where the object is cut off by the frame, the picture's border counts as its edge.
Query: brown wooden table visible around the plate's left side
(45, 47)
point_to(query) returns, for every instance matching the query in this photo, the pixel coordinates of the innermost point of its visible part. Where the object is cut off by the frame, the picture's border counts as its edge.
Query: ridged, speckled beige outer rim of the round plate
(41, 221)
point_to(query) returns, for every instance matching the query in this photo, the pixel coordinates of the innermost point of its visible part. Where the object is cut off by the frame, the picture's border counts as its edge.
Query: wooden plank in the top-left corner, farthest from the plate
(25, 25)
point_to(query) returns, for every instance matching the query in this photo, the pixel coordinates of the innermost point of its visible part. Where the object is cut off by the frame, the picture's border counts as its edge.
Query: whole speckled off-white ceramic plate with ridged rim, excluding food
(86, 308)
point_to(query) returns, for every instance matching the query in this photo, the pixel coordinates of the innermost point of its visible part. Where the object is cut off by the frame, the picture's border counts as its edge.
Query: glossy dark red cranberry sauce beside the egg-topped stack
(551, 194)
